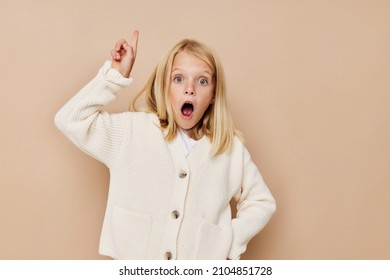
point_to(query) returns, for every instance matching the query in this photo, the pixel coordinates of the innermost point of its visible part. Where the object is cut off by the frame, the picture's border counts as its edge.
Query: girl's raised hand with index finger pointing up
(123, 55)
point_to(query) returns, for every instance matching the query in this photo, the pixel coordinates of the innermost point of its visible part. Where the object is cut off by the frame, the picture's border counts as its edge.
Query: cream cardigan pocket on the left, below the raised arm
(131, 233)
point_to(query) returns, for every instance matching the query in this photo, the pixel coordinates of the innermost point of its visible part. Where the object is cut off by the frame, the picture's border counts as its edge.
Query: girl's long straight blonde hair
(216, 122)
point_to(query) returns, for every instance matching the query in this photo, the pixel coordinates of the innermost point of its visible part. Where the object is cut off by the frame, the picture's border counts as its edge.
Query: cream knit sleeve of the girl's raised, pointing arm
(97, 133)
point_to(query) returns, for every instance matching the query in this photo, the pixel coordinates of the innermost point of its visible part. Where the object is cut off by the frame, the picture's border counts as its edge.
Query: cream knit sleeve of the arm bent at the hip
(255, 207)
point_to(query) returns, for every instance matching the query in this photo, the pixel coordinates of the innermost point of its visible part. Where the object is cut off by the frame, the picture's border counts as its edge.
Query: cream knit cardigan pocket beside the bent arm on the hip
(213, 242)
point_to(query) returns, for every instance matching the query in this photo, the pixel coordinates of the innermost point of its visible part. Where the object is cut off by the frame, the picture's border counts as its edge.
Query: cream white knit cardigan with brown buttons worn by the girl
(161, 204)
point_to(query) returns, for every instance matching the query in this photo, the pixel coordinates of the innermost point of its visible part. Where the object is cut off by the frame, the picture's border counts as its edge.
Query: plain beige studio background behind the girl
(309, 85)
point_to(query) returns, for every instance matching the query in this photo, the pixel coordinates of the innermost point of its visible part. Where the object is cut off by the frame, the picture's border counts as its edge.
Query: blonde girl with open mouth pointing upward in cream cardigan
(175, 167)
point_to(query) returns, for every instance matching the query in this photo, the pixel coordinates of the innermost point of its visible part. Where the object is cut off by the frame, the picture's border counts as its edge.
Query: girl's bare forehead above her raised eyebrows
(188, 62)
